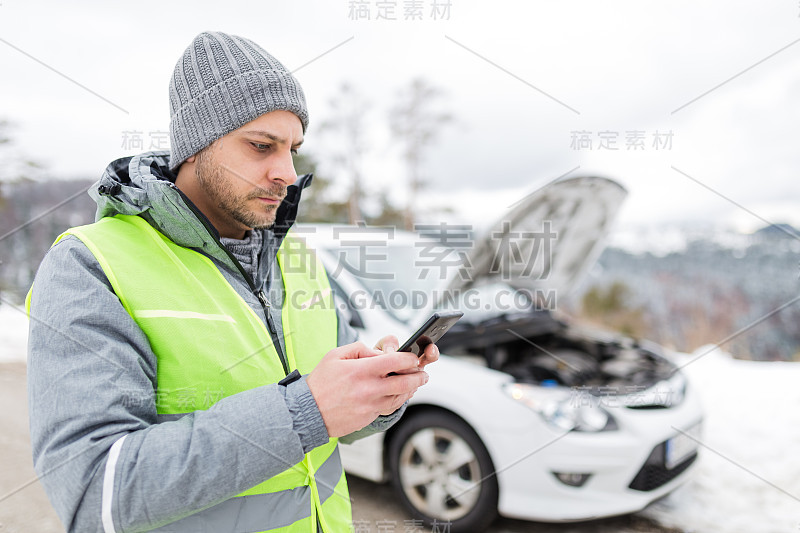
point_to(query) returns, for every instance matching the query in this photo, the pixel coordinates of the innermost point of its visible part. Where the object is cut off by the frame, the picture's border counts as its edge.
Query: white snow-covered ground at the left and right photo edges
(748, 477)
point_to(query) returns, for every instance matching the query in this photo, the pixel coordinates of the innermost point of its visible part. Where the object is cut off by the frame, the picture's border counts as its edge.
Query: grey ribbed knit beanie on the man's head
(221, 83)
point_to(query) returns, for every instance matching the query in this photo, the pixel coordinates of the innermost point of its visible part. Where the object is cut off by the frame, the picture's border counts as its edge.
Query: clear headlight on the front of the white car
(561, 409)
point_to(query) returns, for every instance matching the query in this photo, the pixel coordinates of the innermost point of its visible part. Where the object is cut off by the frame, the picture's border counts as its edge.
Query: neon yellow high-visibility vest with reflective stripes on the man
(210, 344)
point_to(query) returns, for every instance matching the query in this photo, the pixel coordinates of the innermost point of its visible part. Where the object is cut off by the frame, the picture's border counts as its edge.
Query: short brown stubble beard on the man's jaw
(216, 181)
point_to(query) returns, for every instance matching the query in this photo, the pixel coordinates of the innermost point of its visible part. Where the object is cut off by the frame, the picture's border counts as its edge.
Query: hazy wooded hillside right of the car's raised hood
(713, 287)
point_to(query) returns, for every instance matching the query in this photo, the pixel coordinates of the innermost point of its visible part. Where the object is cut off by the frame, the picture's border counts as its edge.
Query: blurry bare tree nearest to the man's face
(346, 125)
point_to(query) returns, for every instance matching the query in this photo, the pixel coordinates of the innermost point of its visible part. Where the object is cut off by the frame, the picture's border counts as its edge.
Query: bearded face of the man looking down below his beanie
(241, 179)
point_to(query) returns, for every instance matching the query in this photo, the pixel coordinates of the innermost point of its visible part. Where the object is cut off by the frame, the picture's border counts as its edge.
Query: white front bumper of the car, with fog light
(628, 467)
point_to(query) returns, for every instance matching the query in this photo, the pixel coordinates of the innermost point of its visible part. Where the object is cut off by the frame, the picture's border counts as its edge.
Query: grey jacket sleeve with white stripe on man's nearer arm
(103, 458)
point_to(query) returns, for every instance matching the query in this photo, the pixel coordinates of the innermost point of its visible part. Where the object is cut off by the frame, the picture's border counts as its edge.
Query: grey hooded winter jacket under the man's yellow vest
(92, 377)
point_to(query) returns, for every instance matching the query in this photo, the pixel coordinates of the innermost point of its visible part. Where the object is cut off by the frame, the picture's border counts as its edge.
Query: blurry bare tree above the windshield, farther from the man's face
(416, 119)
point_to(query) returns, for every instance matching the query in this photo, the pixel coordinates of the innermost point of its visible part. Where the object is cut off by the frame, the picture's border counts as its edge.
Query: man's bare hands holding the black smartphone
(352, 385)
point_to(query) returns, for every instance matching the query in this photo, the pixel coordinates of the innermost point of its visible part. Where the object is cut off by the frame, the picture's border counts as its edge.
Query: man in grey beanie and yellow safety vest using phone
(172, 385)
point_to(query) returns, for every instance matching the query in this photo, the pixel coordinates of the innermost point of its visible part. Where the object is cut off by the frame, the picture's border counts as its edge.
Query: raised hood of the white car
(547, 240)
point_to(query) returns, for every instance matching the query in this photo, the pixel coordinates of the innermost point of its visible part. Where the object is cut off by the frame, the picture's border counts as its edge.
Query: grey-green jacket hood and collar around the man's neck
(143, 185)
